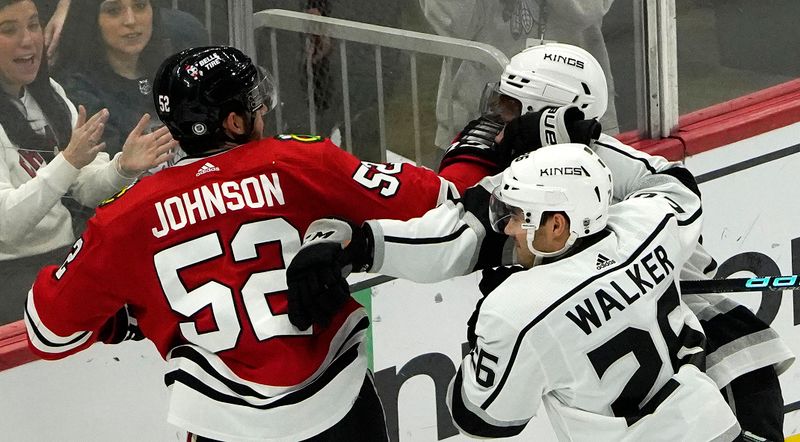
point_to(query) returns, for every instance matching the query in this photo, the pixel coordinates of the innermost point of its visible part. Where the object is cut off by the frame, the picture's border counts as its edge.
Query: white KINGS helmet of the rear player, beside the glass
(555, 74)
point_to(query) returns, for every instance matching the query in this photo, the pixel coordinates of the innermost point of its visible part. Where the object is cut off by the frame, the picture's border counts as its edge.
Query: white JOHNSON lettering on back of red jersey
(208, 201)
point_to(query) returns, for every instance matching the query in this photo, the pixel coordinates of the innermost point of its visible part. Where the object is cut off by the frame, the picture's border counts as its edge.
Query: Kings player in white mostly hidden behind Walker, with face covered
(745, 355)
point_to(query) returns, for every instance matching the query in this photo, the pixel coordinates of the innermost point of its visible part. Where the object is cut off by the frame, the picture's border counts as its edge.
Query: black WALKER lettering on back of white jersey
(627, 288)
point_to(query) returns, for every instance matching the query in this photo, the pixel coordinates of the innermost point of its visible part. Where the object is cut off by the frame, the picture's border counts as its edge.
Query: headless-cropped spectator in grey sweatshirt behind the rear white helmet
(511, 25)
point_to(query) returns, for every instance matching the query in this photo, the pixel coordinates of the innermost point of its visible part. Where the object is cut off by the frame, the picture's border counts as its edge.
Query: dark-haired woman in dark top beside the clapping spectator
(111, 64)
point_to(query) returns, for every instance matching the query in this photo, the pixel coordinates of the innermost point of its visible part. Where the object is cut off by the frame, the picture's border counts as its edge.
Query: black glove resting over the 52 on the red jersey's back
(316, 277)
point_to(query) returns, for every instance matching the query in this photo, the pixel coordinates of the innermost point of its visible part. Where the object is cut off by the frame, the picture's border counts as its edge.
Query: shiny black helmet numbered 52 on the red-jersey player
(196, 89)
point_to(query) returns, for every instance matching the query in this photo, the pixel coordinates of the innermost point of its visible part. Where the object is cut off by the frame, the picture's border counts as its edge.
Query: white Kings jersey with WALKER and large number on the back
(600, 336)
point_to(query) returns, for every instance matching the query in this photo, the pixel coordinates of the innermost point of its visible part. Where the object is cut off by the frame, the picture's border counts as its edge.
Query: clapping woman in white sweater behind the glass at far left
(48, 149)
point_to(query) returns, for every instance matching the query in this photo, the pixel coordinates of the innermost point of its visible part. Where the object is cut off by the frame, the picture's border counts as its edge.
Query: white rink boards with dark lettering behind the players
(750, 193)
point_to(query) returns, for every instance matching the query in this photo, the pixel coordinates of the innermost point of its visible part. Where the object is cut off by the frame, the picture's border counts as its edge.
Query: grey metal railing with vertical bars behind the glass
(409, 42)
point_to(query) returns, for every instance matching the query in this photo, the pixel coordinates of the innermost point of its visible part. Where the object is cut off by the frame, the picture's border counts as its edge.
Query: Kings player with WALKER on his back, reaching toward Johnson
(591, 324)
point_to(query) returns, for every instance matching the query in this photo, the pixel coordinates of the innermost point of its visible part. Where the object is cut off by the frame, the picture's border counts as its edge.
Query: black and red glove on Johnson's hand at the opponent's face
(475, 143)
